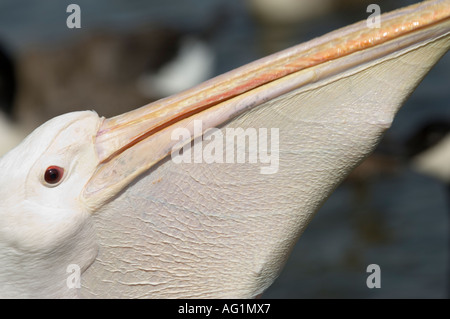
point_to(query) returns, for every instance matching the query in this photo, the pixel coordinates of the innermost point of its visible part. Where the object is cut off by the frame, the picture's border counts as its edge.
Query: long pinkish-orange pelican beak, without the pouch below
(130, 144)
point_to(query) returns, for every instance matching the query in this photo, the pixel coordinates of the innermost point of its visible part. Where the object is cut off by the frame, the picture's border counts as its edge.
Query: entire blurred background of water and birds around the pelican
(129, 53)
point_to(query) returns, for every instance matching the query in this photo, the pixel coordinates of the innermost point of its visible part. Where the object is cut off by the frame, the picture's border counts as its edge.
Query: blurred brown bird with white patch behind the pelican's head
(112, 71)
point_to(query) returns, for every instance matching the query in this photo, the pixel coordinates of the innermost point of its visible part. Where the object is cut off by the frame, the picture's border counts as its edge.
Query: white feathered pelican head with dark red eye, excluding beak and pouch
(44, 218)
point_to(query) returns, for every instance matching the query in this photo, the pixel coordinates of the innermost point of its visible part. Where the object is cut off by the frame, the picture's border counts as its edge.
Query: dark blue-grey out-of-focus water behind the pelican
(398, 221)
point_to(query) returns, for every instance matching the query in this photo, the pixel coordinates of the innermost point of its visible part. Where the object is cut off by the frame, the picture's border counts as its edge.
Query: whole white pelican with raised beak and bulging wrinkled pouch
(109, 199)
